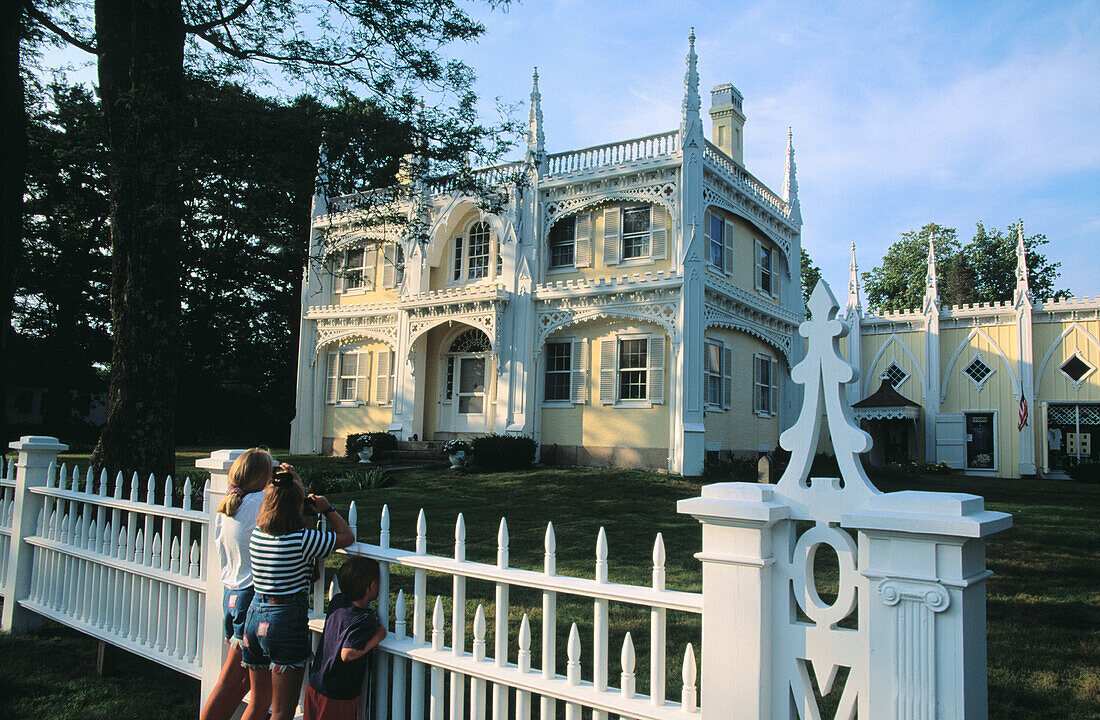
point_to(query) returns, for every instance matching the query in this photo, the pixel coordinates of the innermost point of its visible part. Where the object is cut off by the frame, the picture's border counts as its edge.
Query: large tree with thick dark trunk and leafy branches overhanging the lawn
(383, 48)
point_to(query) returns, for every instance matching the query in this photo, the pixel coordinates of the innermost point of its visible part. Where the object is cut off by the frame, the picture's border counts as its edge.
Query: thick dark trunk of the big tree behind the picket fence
(141, 70)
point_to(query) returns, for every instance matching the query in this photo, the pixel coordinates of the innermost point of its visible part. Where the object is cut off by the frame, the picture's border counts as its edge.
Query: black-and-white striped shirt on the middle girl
(281, 564)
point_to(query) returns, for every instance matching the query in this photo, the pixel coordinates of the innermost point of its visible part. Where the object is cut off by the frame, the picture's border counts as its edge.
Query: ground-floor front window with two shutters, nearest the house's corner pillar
(632, 370)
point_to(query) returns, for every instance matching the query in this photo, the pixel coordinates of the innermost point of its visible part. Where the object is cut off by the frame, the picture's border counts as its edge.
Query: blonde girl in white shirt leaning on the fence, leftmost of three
(237, 517)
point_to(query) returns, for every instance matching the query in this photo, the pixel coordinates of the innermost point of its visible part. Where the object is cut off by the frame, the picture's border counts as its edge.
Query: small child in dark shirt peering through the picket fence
(351, 632)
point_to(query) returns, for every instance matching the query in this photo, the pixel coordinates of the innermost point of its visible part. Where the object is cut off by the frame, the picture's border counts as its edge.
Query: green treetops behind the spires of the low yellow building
(983, 271)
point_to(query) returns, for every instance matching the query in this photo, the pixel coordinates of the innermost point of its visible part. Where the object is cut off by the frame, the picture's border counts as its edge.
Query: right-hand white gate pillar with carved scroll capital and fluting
(925, 555)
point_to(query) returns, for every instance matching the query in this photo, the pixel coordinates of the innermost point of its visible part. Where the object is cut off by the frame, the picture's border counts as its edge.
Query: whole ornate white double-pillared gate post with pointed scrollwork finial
(905, 637)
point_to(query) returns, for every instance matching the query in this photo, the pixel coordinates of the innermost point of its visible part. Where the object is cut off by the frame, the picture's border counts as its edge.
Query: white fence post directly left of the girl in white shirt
(214, 643)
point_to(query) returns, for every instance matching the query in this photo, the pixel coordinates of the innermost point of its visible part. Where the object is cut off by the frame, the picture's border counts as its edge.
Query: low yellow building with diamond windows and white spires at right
(1003, 390)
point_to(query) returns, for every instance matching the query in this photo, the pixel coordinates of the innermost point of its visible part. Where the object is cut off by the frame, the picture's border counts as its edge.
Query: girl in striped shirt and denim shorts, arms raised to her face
(277, 636)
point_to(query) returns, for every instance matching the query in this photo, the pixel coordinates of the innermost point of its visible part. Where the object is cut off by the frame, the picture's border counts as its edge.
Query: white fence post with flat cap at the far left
(36, 456)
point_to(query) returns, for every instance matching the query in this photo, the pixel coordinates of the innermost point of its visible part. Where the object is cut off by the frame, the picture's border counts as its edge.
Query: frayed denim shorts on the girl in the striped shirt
(278, 634)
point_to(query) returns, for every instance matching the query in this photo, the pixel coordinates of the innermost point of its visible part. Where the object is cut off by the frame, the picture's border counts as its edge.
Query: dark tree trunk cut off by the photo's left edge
(13, 183)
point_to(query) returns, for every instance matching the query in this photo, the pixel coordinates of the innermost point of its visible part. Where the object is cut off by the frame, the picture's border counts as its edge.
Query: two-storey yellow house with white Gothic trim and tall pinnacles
(633, 305)
